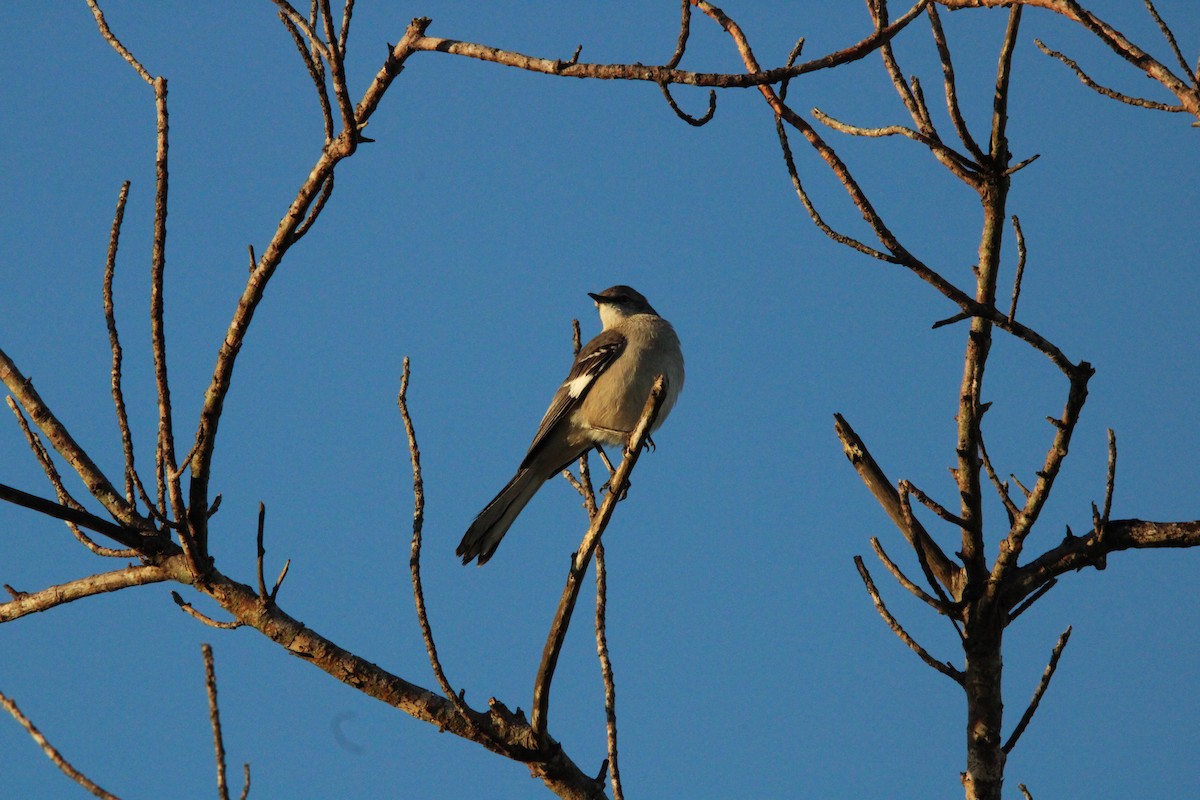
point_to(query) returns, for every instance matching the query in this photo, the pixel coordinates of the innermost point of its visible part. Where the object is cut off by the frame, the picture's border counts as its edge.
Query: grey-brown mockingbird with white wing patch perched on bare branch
(598, 405)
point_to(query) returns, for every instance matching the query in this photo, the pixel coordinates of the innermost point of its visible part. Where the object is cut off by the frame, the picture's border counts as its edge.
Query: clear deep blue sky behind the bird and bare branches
(749, 660)
